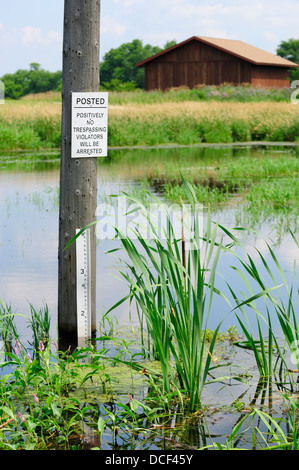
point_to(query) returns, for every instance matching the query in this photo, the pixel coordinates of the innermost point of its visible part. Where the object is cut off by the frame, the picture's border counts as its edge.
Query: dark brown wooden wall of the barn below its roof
(196, 63)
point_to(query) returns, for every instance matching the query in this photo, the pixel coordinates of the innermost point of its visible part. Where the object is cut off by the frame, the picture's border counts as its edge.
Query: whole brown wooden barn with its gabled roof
(210, 61)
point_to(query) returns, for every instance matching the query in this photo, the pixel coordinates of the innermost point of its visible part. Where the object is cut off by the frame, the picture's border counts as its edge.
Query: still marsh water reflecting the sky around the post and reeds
(29, 194)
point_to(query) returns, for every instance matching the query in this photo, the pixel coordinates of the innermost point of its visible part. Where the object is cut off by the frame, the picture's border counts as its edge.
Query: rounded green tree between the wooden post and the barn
(119, 64)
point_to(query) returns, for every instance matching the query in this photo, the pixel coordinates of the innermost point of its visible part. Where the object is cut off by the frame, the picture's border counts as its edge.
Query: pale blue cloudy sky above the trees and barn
(32, 30)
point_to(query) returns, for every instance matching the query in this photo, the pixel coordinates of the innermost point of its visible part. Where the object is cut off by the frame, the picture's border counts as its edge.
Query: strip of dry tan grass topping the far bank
(48, 105)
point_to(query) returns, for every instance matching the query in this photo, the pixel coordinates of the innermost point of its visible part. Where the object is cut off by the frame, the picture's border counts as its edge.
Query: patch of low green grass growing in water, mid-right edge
(262, 189)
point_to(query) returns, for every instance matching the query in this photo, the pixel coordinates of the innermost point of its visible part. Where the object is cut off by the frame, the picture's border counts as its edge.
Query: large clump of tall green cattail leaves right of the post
(174, 290)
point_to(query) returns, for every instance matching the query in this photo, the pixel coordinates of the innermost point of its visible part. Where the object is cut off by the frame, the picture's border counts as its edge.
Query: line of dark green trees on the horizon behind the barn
(117, 69)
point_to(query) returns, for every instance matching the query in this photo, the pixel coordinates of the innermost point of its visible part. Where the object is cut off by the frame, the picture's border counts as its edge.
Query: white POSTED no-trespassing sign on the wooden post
(89, 124)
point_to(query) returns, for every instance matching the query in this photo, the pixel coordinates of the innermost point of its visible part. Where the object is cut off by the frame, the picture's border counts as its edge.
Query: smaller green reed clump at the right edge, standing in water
(279, 304)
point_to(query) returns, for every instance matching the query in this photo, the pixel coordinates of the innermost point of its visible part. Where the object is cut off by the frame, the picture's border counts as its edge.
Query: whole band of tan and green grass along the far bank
(174, 118)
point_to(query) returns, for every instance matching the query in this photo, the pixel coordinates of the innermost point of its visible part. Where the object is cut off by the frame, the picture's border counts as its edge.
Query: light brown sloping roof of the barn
(237, 48)
